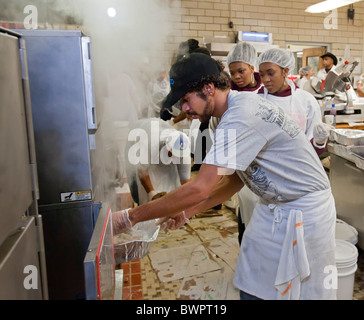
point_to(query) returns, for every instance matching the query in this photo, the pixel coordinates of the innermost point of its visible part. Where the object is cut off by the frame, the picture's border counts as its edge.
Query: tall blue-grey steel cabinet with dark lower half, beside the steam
(65, 131)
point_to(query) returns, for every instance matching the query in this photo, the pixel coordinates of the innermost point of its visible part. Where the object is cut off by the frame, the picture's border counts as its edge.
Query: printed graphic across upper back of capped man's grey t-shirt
(272, 114)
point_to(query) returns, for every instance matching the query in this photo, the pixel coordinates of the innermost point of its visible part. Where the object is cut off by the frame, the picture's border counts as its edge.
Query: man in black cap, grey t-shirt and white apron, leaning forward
(290, 240)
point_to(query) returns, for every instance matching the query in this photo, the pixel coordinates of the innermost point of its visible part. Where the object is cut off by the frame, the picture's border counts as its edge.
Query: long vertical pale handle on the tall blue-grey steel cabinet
(89, 90)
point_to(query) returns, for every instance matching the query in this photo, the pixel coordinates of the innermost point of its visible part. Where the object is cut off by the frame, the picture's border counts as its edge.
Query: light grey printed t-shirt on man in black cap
(271, 154)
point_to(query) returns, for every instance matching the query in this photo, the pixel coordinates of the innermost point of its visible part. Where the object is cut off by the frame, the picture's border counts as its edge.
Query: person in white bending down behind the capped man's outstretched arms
(159, 163)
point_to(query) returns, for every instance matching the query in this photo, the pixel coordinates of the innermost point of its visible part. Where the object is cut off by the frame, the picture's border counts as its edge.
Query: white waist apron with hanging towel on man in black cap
(287, 247)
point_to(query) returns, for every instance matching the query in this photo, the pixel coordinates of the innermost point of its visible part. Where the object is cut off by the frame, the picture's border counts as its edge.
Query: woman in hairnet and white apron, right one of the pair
(274, 67)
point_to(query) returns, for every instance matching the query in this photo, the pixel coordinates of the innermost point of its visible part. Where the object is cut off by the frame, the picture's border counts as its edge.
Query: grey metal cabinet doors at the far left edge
(21, 232)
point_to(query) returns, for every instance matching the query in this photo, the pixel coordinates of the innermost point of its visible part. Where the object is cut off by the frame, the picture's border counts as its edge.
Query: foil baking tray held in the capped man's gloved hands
(135, 243)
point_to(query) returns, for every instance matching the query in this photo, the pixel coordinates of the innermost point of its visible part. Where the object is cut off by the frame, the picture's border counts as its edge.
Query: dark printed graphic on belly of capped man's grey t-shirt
(257, 181)
